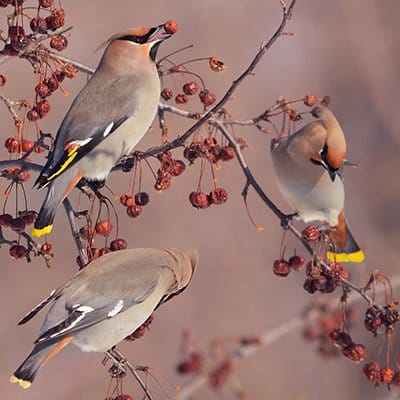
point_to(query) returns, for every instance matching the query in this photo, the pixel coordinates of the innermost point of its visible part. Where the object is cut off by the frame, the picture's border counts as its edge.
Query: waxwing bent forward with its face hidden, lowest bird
(106, 301)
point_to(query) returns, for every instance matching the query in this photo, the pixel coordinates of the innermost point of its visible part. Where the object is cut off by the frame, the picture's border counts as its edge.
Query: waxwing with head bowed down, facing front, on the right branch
(306, 166)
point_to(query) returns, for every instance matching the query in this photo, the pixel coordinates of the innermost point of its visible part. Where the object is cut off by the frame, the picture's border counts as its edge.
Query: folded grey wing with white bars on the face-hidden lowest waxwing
(80, 316)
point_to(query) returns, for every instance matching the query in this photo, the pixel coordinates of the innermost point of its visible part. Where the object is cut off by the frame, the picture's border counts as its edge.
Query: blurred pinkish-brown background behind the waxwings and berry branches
(348, 50)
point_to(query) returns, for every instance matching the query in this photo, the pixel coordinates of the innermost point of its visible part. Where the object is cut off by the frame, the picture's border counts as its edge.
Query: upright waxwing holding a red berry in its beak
(106, 120)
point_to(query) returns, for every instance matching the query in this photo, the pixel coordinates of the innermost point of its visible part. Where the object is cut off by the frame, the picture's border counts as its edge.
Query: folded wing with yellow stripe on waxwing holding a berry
(98, 110)
